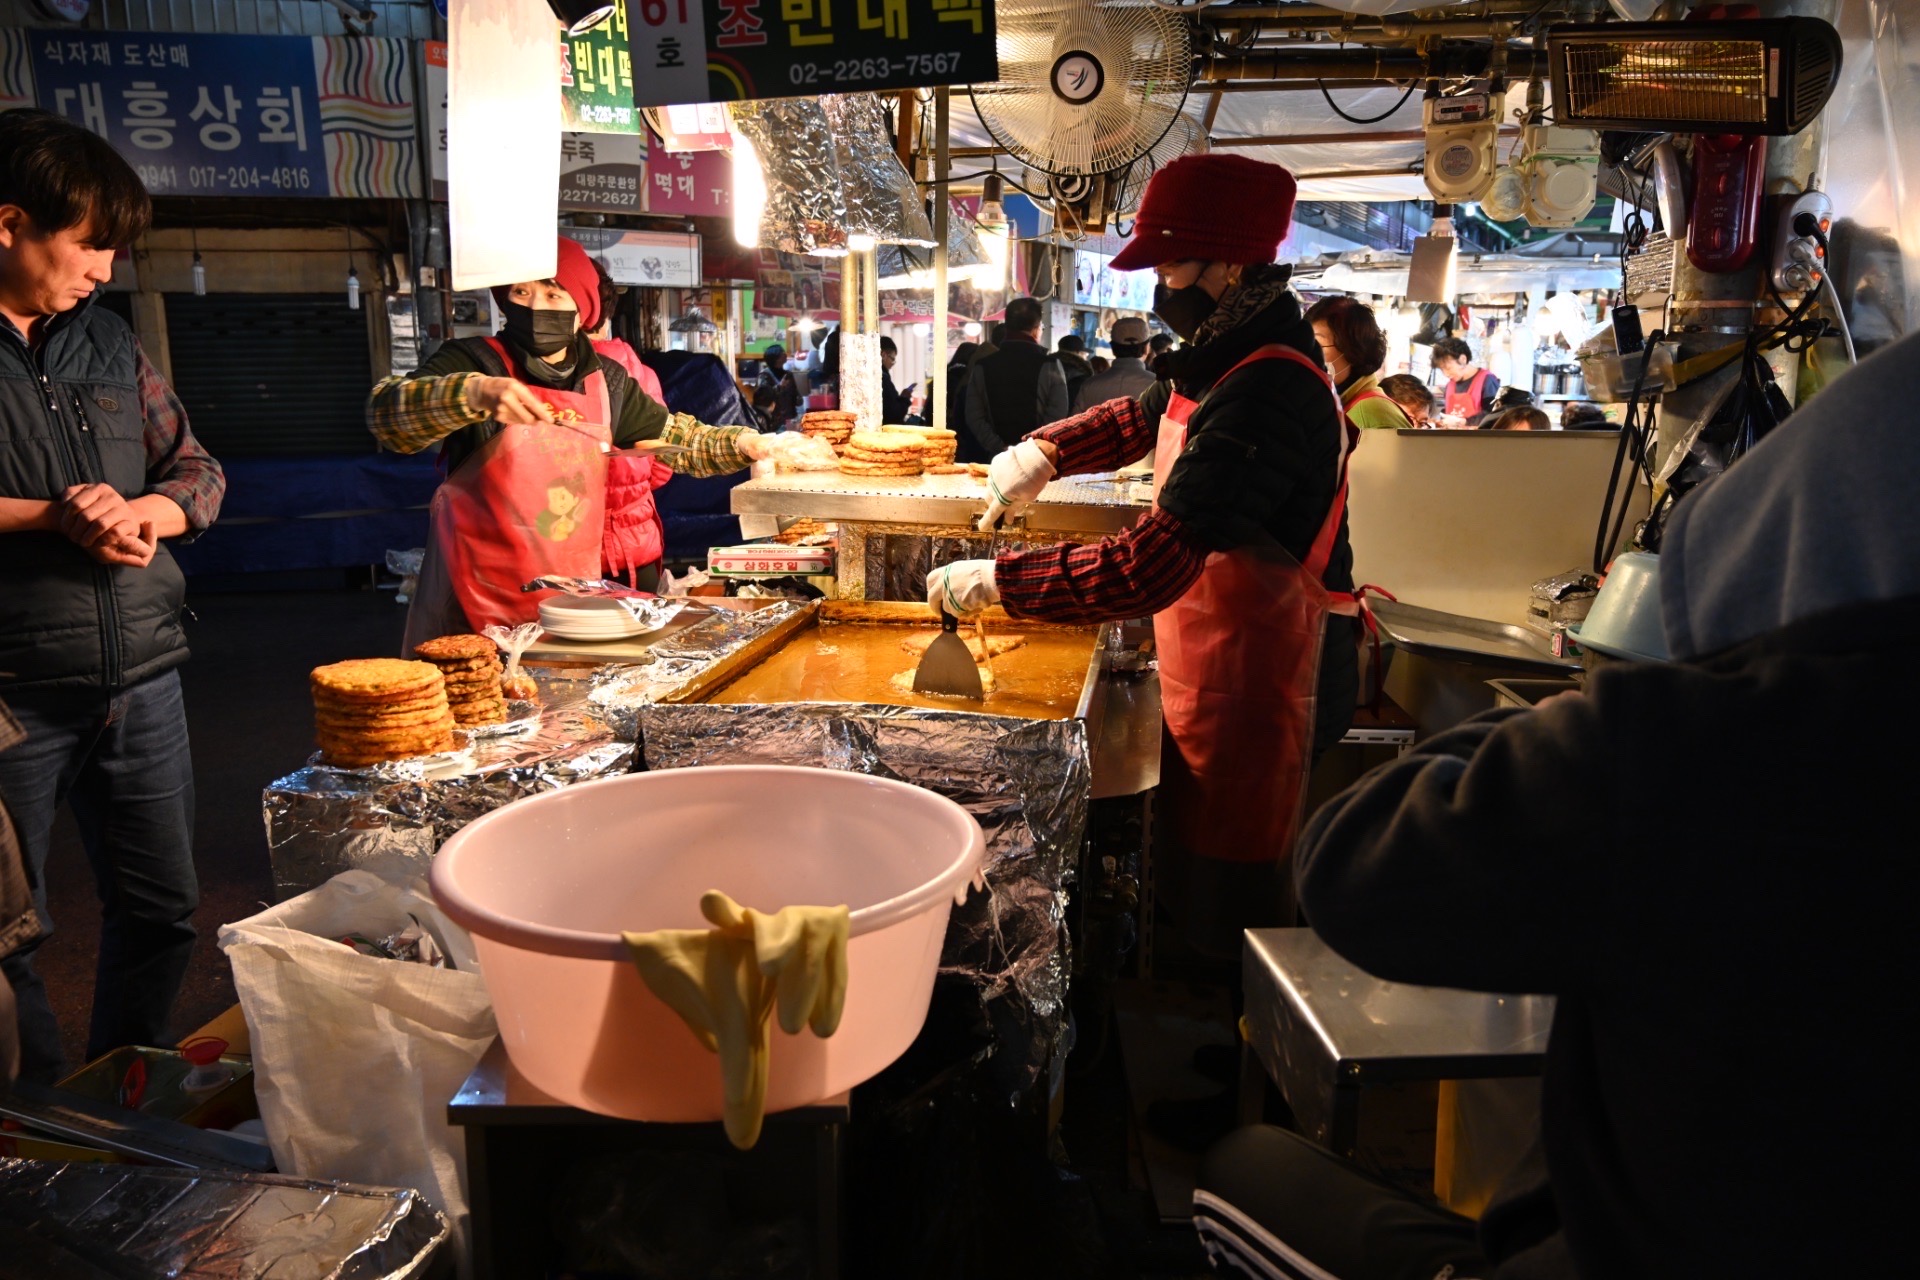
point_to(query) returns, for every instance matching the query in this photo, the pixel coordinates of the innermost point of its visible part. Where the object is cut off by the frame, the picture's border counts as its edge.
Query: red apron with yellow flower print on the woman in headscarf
(529, 502)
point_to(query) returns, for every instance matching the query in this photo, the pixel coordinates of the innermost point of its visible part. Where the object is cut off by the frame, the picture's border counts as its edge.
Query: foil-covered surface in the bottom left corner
(78, 1221)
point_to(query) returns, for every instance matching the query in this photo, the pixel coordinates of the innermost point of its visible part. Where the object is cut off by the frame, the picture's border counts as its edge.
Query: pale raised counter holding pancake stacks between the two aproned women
(1070, 506)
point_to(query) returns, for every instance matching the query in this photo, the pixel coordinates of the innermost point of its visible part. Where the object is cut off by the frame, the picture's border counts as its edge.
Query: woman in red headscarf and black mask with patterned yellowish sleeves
(525, 421)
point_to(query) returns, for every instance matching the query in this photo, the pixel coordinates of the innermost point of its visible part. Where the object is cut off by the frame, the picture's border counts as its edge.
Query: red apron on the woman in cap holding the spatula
(1239, 669)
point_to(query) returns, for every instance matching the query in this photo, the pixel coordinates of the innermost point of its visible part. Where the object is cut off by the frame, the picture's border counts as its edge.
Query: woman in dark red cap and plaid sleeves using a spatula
(1243, 563)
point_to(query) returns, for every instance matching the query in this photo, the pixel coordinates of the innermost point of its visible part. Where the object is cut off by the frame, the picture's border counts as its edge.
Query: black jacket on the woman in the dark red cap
(1262, 462)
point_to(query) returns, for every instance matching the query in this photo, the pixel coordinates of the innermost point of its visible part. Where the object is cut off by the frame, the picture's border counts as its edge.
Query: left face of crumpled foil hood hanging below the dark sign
(805, 208)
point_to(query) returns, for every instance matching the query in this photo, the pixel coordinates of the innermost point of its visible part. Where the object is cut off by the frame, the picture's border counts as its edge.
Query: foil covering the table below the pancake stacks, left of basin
(393, 818)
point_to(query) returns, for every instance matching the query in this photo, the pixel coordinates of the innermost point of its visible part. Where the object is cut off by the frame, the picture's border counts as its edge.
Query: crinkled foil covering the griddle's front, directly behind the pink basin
(1026, 782)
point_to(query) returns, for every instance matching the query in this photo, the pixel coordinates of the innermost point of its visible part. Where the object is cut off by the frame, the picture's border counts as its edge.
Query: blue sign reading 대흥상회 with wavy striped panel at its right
(237, 116)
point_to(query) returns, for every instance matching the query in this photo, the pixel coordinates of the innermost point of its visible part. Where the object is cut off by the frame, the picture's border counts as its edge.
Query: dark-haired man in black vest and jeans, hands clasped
(97, 465)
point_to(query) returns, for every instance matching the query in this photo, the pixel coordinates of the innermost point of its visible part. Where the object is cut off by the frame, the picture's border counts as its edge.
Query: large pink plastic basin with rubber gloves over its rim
(548, 884)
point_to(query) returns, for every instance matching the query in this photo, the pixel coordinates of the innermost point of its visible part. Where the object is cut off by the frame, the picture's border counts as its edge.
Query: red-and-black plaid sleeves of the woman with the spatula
(1130, 577)
